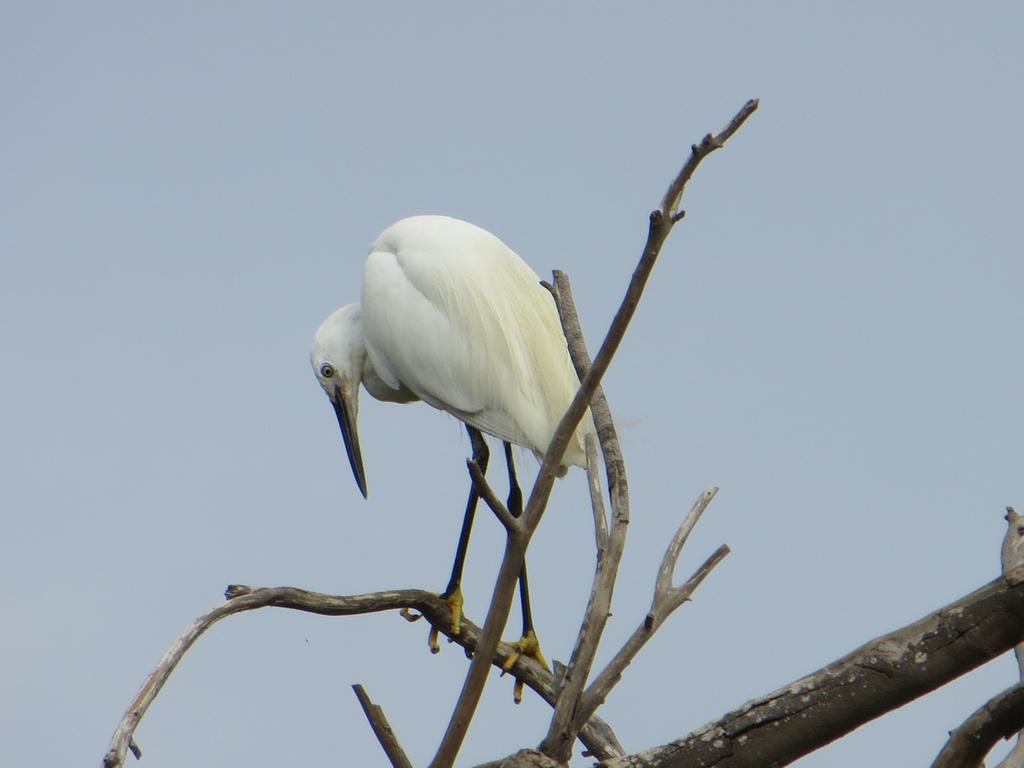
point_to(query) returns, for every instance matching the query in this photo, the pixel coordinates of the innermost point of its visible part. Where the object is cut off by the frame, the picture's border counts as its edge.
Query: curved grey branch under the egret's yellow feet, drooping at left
(598, 737)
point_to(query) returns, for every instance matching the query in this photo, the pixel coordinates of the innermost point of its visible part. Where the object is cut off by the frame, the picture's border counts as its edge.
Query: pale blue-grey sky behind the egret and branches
(833, 337)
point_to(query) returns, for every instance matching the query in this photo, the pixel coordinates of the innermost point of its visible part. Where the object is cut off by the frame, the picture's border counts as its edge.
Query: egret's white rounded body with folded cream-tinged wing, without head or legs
(451, 313)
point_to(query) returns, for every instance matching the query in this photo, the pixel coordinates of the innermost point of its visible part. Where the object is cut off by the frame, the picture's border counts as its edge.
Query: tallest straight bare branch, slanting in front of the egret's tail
(662, 223)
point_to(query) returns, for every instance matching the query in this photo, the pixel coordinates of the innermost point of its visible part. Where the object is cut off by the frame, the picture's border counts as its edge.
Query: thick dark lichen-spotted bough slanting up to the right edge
(876, 678)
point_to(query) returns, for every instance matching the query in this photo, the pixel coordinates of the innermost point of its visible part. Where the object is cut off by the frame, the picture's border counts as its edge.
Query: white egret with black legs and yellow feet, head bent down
(452, 317)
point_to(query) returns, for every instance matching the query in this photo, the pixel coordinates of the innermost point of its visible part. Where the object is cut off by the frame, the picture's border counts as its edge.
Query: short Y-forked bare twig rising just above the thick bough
(667, 600)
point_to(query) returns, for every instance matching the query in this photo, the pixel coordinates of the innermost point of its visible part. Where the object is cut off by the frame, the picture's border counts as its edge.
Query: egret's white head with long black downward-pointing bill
(337, 358)
